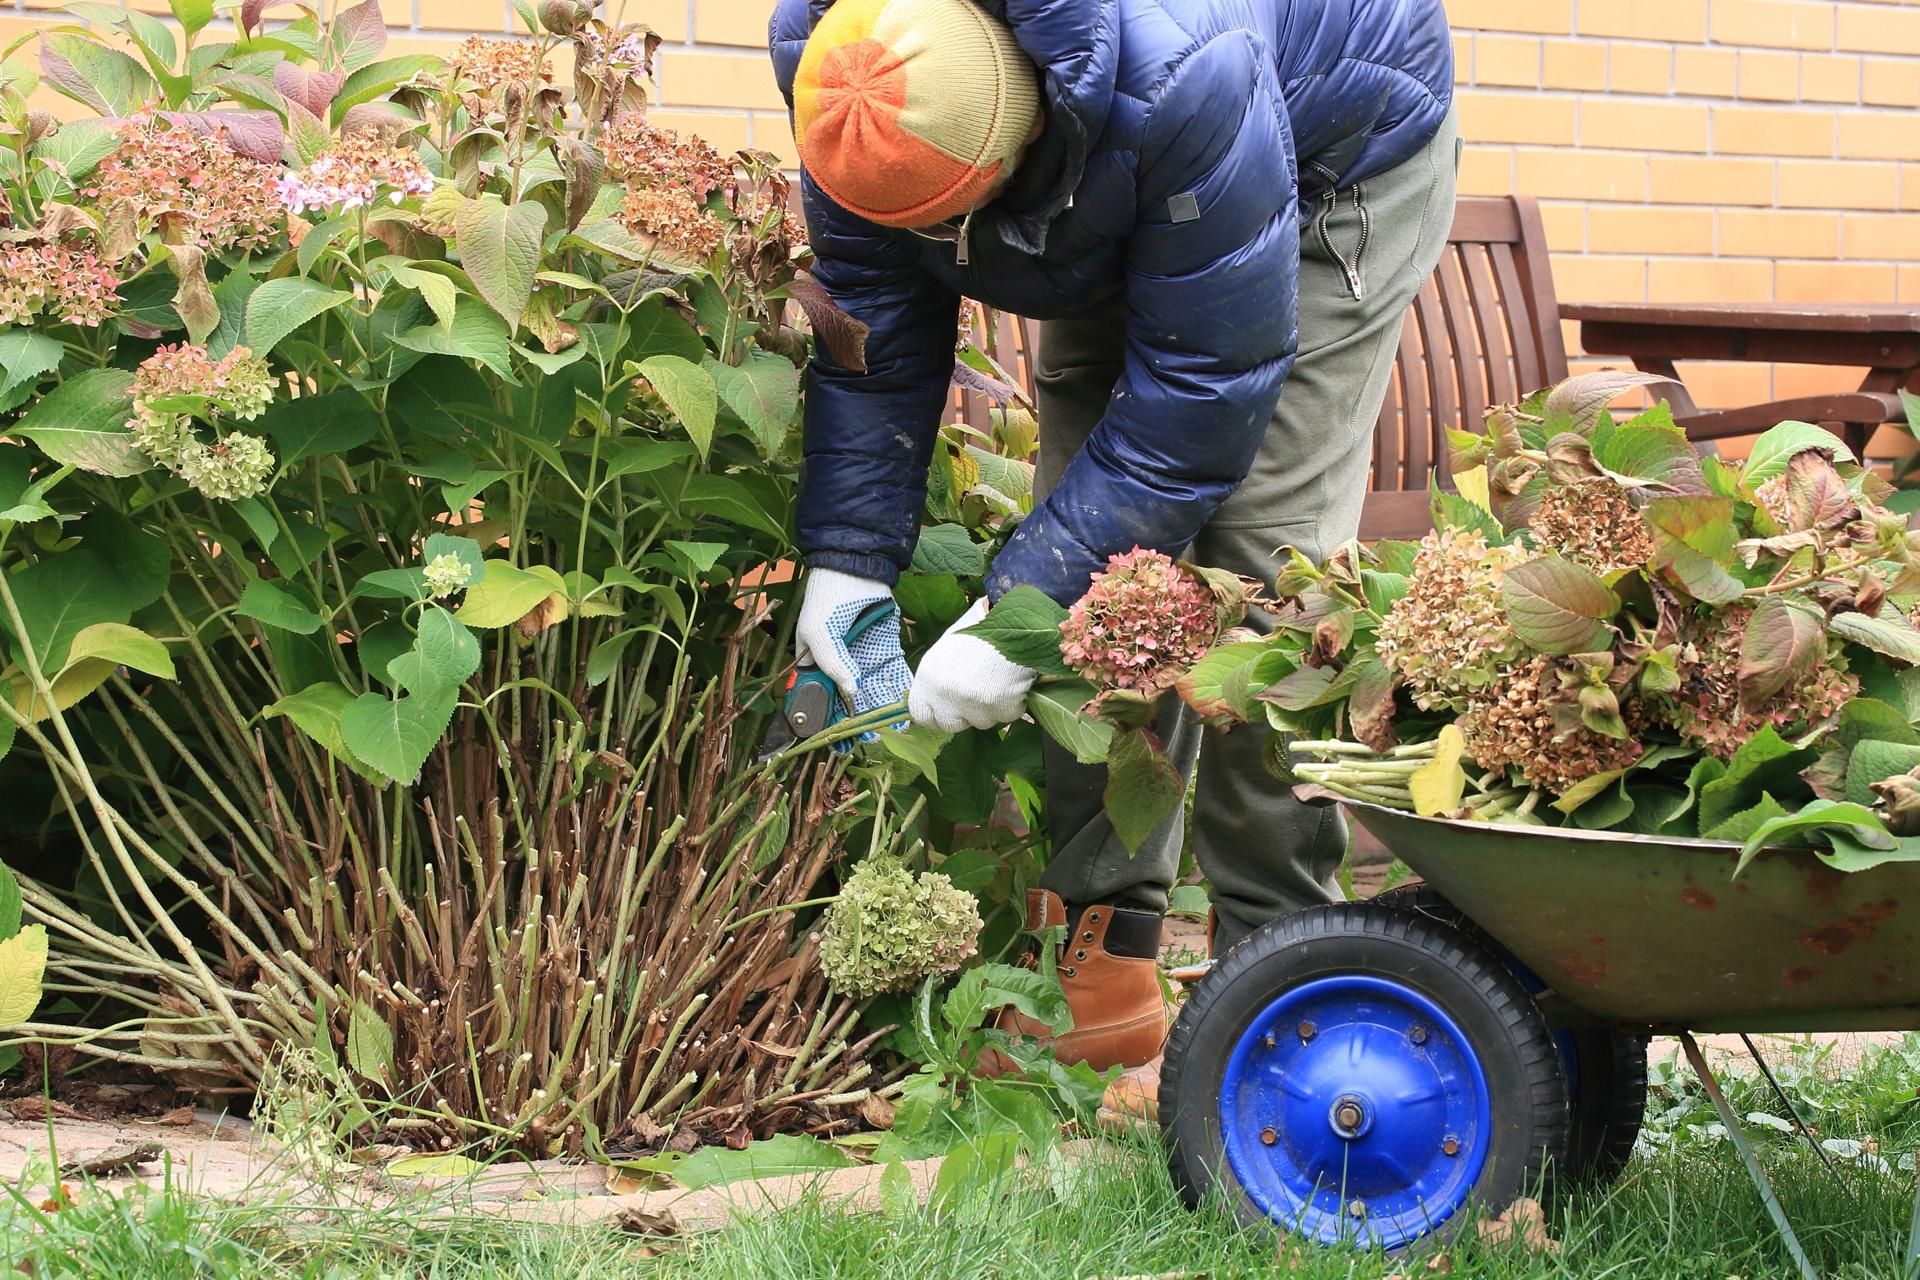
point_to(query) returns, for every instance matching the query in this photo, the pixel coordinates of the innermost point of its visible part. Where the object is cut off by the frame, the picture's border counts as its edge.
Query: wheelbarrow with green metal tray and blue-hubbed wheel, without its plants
(1366, 1072)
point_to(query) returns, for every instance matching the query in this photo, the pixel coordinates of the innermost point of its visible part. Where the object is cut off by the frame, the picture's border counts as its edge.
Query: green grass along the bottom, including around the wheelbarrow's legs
(1683, 1212)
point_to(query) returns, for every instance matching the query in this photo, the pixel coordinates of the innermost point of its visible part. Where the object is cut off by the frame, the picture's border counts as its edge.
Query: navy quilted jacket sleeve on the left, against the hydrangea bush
(869, 437)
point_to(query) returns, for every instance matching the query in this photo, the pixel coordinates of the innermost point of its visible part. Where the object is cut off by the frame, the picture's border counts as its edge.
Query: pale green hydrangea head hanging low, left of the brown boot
(890, 930)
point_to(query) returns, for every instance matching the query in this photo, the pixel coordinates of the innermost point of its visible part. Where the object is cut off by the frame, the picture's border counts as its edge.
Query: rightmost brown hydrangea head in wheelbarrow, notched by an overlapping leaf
(1708, 709)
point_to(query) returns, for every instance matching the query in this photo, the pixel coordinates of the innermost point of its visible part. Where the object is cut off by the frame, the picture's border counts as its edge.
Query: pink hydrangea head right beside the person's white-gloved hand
(1143, 623)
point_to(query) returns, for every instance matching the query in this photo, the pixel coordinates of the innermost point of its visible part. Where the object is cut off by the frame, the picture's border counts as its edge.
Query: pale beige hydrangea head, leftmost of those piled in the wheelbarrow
(1449, 634)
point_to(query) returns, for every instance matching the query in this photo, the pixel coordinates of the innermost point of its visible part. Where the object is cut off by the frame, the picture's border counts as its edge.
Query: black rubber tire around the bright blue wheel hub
(1500, 1020)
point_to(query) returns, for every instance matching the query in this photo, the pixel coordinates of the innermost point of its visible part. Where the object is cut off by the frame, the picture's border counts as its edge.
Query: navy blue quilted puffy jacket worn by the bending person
(1186, 141)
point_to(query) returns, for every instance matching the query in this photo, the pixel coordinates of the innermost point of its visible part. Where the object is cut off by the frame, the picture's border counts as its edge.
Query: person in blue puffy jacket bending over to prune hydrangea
(1220, 210)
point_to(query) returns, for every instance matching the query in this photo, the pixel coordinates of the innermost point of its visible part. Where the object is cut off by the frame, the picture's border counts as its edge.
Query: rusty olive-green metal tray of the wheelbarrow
(1658, 934)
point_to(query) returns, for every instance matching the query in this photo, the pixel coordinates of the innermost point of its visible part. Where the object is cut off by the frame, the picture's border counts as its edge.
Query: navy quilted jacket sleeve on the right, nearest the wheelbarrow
(1212, 291)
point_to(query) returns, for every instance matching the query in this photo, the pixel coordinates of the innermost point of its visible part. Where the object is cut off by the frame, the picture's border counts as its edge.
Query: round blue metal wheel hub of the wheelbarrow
(1355, 1110)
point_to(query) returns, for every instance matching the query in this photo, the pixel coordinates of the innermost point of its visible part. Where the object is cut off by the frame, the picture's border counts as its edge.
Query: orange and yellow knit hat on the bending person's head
(909, 112)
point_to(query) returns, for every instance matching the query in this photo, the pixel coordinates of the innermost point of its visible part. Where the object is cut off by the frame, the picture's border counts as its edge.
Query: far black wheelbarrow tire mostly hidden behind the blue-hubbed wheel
(1608, 1101)
